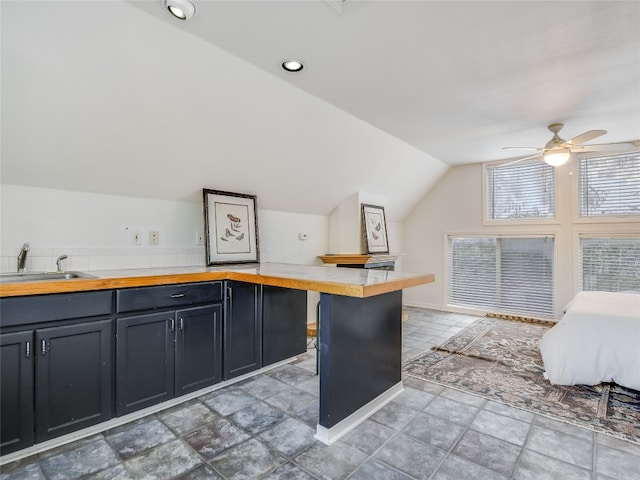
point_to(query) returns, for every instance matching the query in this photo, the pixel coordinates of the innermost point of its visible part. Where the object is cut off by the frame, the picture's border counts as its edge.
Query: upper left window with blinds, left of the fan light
(520, 191)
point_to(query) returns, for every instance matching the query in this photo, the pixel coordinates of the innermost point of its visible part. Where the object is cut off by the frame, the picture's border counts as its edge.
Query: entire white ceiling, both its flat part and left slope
(120, 98)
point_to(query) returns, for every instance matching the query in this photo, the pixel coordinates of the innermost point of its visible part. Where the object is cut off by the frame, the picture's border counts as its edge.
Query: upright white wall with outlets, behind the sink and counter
(94, 230)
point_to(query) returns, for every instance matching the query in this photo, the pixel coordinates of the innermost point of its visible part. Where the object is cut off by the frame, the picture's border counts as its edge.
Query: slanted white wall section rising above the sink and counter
(101, 97)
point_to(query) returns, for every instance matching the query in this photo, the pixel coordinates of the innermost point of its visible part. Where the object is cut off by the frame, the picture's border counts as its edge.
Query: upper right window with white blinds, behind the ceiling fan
(609, 185)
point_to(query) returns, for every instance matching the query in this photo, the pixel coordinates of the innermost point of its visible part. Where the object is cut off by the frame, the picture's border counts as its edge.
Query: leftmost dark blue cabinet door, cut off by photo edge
(16, 391)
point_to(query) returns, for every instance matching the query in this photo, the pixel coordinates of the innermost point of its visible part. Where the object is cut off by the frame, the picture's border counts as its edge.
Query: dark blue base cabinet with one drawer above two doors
(165, 351)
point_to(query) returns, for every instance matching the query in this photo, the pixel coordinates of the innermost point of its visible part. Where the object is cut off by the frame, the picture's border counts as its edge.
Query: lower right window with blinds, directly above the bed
(610, 264)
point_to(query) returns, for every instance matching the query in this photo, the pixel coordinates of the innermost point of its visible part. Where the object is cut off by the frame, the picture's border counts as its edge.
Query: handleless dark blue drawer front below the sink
(45, 308)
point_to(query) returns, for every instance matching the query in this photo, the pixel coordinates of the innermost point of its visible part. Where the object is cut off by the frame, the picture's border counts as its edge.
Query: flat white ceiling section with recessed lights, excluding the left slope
(456, 79)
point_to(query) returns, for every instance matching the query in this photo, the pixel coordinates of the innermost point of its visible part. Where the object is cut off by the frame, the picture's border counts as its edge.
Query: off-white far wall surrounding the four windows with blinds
(455, 206)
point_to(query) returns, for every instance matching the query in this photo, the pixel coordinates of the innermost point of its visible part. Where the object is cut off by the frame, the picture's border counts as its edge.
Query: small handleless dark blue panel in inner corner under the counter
(284, 323)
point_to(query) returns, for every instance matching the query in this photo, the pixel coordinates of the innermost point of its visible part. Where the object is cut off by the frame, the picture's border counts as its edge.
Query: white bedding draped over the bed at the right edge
(597, 340)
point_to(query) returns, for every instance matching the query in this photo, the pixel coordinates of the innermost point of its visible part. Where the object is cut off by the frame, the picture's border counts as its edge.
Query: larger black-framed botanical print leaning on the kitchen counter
(231, 227)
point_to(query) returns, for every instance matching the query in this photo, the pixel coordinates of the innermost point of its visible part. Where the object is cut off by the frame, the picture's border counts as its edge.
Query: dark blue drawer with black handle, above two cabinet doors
(167, 296)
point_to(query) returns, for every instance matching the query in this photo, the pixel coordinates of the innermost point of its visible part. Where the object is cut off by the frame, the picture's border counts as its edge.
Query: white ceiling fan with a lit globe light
(557, 151)
